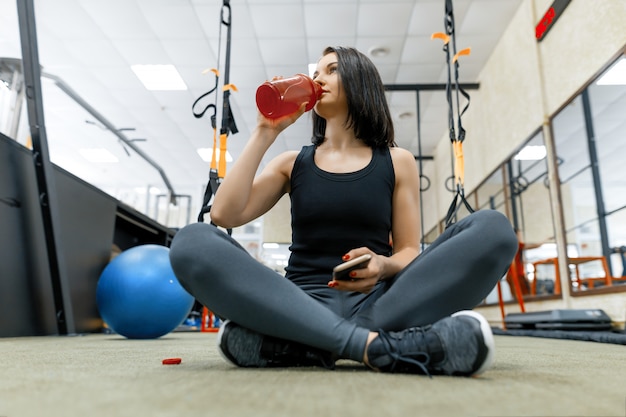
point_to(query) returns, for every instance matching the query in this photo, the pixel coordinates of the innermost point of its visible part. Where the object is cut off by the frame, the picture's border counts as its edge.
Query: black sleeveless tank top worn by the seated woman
(333, 213)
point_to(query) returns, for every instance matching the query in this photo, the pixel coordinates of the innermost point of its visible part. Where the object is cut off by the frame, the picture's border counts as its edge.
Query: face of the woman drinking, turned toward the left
(333, 98)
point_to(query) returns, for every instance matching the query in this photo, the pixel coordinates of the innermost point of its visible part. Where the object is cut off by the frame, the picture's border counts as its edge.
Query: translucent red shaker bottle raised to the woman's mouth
(285, 96)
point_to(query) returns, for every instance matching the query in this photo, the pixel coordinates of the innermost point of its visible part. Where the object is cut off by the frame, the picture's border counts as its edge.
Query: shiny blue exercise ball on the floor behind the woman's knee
(139, 296)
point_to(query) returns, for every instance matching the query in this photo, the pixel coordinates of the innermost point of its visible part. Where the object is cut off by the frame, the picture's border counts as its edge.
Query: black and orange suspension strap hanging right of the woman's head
(452, 59)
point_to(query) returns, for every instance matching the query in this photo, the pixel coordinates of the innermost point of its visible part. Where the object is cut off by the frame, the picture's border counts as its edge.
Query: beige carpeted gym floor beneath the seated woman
(102, 375)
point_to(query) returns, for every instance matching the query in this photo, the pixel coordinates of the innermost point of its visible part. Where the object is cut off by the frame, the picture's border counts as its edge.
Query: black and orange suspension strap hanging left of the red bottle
(217, 173)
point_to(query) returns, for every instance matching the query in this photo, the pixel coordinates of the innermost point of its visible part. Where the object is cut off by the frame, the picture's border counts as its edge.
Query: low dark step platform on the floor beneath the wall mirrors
(587, 319)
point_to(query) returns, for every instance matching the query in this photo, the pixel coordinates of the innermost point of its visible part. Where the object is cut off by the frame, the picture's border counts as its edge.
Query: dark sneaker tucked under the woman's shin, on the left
(249, 349)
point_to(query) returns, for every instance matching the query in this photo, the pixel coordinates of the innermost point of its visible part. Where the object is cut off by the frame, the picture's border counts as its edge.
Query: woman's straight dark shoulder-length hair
(368, 113)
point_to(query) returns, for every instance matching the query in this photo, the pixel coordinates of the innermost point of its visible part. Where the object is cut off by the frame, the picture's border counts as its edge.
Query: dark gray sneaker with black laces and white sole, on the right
(460, 345)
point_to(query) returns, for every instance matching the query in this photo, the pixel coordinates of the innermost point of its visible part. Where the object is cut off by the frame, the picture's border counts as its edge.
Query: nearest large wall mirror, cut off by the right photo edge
(589, 139)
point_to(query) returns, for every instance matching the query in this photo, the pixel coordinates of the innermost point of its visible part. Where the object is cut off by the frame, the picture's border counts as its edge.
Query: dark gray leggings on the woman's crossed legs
(456, 272)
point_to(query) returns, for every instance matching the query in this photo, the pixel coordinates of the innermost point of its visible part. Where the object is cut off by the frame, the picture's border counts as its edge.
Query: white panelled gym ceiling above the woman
(91, 44)
